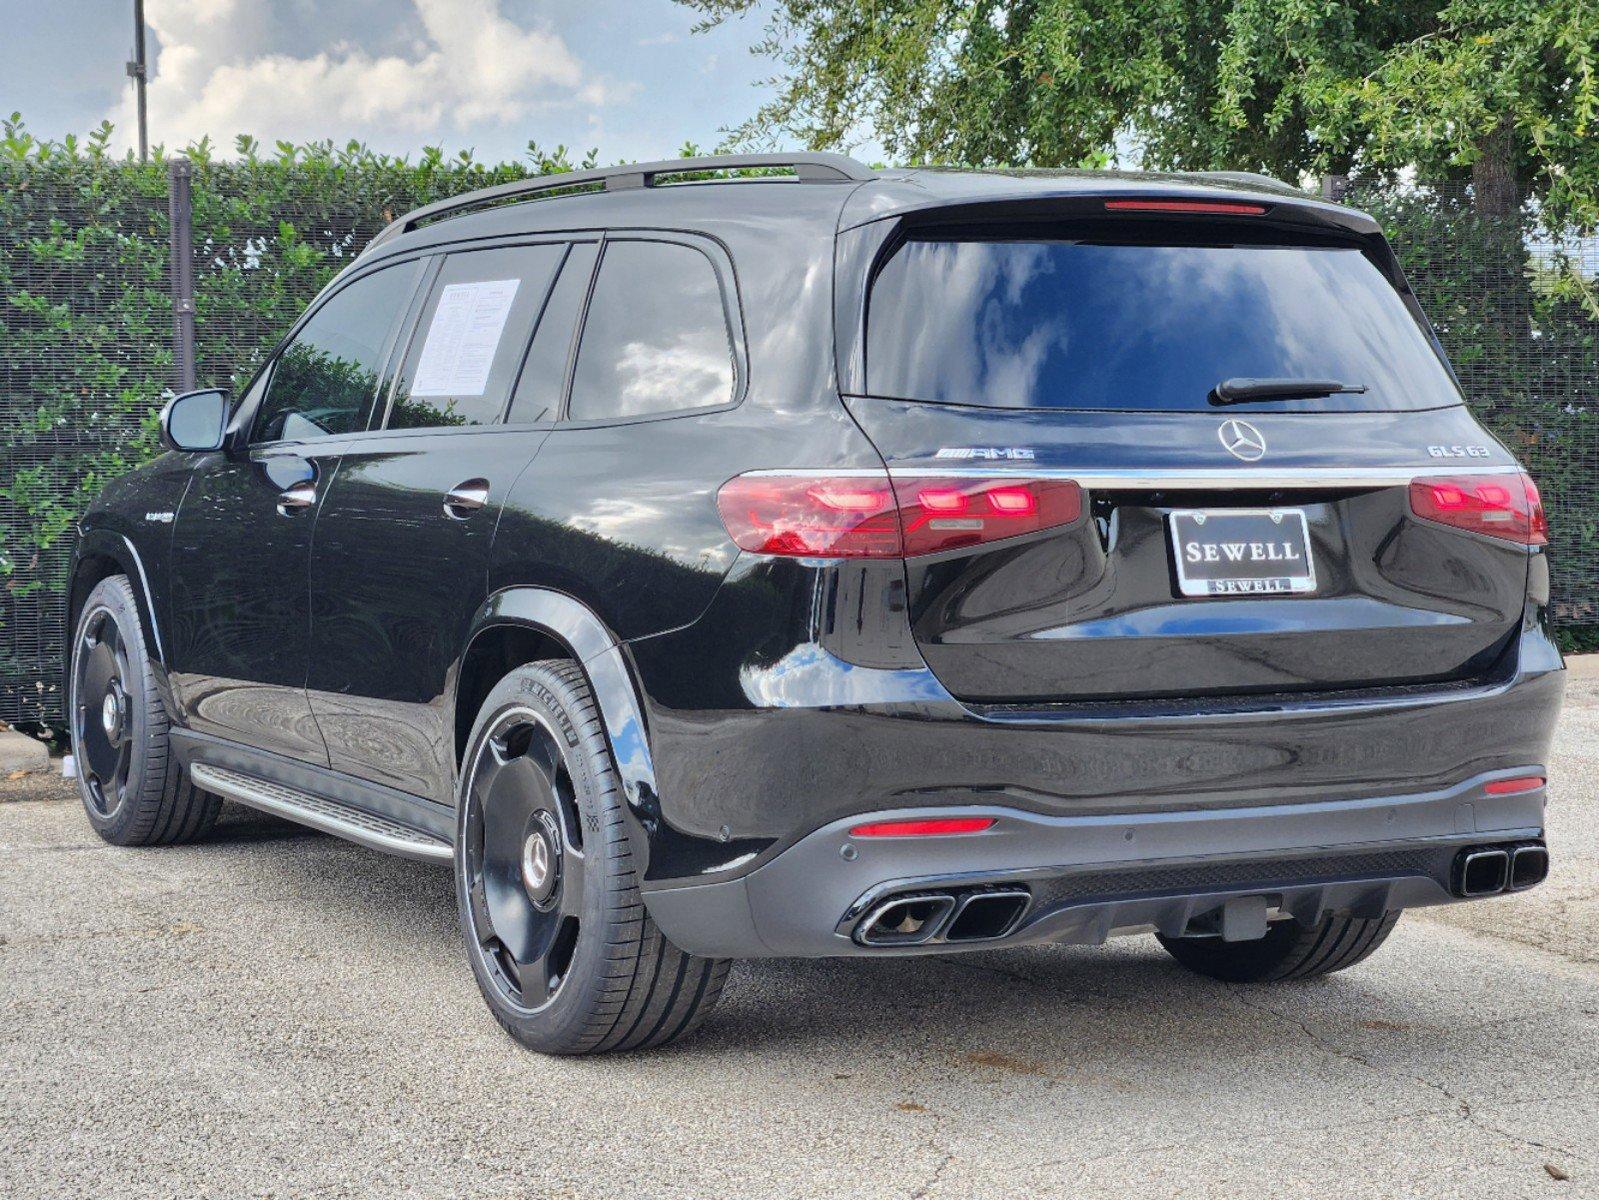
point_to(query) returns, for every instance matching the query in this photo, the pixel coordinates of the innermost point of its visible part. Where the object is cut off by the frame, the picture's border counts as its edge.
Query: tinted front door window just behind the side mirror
(325, 380)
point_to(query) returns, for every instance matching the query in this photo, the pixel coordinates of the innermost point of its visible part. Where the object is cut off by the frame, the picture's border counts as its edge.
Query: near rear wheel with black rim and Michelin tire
(565, 954)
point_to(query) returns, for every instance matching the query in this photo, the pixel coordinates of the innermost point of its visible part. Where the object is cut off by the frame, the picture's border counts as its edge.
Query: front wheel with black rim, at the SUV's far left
(134, 790)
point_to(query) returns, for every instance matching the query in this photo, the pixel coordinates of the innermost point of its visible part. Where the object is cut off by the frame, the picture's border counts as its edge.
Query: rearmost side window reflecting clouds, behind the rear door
(656, 337)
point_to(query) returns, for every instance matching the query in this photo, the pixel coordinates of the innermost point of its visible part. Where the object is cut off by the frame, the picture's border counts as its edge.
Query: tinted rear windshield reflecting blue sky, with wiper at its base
(1032, 324)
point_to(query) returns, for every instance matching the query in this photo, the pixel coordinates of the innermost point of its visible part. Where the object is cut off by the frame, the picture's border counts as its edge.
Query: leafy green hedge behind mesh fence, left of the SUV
(86, 321)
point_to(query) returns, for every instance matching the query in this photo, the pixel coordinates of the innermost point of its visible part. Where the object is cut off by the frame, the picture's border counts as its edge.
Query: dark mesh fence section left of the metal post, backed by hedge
(86, 322)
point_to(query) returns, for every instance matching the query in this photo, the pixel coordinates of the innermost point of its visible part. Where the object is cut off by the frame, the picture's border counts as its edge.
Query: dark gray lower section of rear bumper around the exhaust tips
(1088, 878)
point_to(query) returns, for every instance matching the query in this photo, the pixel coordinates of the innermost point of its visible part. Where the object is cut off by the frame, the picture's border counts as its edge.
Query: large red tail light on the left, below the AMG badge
(871, 518)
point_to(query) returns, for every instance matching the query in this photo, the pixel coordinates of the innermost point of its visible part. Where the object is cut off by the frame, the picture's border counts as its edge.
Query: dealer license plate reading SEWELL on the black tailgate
(1242, 551)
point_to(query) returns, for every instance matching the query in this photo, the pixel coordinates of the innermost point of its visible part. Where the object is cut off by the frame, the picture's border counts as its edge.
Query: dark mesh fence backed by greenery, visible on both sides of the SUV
(87, 342)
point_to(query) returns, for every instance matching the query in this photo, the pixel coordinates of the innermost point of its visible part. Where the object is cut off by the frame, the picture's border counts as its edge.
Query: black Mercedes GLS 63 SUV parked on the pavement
(842, 562)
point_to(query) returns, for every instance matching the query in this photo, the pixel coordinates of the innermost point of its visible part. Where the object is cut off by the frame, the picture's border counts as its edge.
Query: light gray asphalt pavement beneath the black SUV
(276, 1014)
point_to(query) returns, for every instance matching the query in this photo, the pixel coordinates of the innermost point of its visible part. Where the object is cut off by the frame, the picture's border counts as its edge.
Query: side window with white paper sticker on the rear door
(471, 338)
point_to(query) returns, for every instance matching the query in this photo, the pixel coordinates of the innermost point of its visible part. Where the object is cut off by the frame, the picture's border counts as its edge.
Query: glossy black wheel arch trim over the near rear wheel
(605, 663)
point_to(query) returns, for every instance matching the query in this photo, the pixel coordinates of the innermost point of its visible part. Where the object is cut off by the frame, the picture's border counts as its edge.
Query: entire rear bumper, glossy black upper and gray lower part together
(799, 706)
